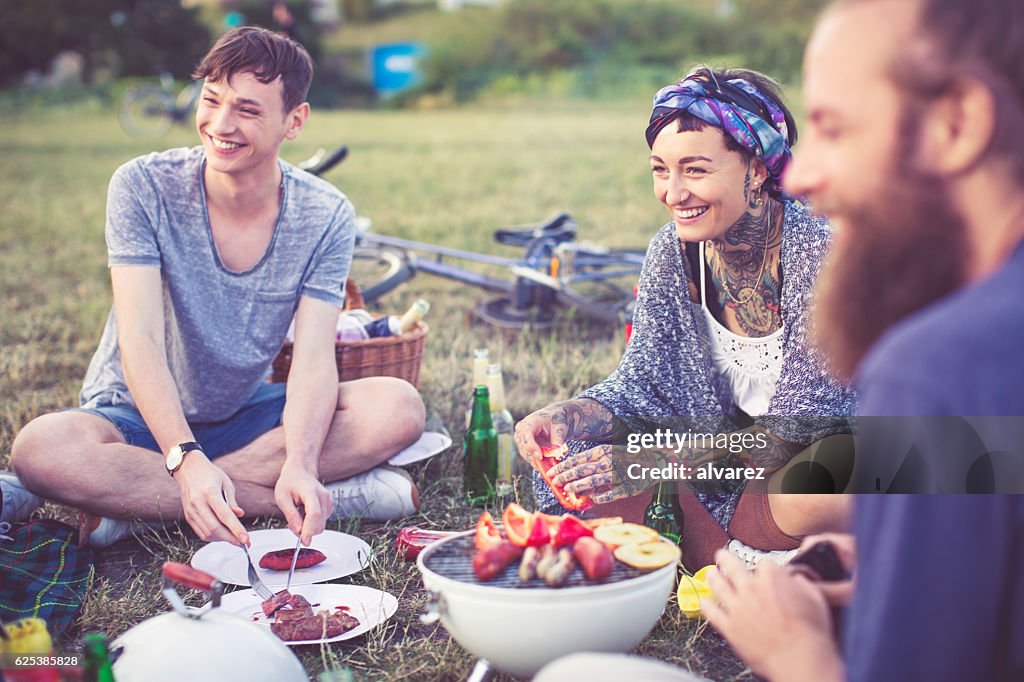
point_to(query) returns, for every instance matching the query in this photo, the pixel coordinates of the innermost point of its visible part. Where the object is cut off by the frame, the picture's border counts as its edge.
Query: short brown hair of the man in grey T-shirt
(266, 55)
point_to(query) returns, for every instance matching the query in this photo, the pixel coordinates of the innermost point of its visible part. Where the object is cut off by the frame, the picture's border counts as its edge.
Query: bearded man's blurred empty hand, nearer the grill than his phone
(778, 622)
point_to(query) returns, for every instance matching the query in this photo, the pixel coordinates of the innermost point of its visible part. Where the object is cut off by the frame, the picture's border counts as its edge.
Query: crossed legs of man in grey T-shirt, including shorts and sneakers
(107, 463)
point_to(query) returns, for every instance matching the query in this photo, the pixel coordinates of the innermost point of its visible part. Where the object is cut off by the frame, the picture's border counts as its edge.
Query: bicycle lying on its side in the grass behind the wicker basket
(554, 272)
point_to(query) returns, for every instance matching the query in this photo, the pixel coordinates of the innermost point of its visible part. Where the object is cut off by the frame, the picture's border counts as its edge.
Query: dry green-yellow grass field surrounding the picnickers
(448, 177)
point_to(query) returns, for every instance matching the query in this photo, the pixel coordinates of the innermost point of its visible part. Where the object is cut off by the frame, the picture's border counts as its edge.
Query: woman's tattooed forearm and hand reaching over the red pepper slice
(581, 419)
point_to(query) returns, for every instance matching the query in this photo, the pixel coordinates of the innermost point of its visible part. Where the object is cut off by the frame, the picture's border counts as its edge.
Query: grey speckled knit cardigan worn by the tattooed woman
(667, 379)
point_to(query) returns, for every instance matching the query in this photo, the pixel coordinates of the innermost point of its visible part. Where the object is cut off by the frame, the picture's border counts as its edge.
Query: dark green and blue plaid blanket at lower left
(44, 573)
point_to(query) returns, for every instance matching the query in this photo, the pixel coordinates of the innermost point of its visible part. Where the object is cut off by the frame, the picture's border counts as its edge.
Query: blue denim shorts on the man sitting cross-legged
(263, 413)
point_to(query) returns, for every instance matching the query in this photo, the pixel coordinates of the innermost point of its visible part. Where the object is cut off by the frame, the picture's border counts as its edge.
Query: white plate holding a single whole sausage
(346, 556)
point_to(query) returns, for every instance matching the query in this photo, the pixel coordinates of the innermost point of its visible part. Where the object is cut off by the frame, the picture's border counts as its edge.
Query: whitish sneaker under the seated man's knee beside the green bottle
(383, 494)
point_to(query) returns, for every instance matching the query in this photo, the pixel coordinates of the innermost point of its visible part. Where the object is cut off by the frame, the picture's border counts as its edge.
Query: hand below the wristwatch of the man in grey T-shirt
(208, 501)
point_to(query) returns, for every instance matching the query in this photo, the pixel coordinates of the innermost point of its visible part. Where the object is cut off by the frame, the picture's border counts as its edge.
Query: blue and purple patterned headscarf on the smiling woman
(738, 108)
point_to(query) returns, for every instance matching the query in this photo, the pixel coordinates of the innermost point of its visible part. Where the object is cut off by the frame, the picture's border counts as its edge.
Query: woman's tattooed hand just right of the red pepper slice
(602, 474)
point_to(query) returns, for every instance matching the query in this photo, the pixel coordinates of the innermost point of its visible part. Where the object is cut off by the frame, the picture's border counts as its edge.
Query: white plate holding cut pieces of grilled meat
(369, 606)
